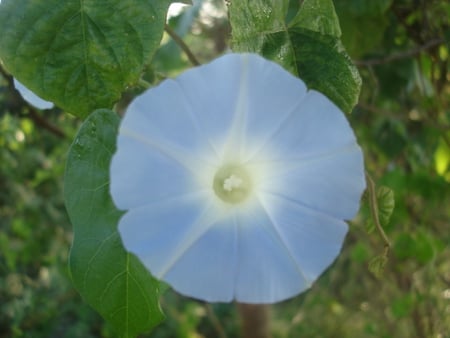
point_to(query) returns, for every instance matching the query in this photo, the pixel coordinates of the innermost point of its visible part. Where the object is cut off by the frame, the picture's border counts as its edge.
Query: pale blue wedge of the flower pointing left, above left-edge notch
(144, 173)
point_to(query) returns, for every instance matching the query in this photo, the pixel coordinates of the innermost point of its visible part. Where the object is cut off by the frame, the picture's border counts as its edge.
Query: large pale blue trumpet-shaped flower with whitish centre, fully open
(236, 180)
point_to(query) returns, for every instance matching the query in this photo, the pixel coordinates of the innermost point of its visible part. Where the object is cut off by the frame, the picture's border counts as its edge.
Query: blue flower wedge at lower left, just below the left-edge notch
(159, 236)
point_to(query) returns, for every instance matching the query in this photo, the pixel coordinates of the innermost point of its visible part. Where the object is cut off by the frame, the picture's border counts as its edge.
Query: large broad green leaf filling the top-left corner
(80, 54)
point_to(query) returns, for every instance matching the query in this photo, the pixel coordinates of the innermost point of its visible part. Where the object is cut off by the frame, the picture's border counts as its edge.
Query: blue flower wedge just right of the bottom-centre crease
(267, 272)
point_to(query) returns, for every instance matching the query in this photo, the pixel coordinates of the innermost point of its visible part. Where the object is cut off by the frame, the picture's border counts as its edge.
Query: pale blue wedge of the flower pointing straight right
(331, 184)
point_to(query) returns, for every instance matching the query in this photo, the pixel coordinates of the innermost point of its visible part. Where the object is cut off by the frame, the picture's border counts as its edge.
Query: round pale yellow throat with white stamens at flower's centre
(232, 183)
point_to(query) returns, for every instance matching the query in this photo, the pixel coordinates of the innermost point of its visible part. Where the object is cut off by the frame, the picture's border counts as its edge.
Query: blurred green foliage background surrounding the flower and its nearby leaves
(402, 120)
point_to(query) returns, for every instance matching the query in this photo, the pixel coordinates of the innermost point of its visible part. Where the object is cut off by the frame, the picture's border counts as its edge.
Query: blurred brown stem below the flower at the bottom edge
(255, 320)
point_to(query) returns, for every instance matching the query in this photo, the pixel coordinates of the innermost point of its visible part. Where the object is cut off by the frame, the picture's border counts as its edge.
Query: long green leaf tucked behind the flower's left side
(111, 280)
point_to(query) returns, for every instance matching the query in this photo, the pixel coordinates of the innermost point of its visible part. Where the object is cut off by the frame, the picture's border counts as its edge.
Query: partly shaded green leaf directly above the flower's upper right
(308, 46)
